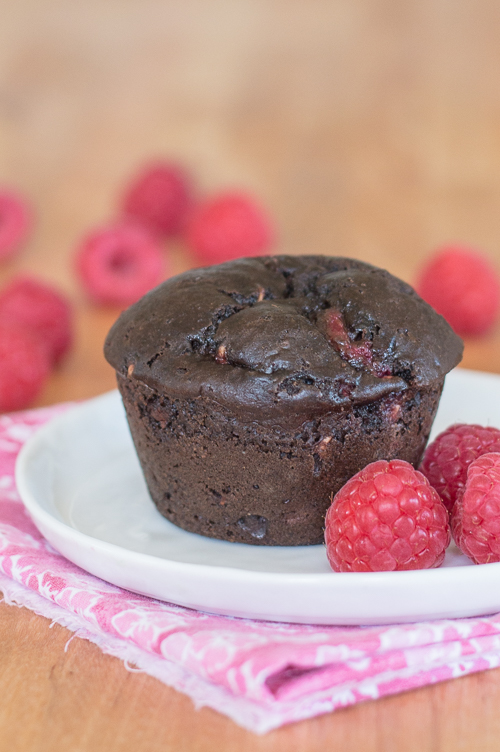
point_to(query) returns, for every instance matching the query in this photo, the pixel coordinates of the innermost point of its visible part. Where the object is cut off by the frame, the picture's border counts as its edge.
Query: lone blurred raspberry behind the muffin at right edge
(462, 286)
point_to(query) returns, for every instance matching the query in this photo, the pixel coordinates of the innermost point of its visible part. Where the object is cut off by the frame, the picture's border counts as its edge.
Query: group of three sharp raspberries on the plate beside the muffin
(392, 517)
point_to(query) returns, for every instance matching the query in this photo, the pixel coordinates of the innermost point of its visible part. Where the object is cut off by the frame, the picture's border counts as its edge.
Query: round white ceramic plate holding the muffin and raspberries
(80, 480)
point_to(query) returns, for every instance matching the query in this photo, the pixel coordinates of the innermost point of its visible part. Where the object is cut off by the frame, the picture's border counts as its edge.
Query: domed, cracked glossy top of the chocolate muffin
(272, 335)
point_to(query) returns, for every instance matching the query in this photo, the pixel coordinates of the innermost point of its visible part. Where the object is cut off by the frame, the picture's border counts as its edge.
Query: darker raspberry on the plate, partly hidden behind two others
(447, 459)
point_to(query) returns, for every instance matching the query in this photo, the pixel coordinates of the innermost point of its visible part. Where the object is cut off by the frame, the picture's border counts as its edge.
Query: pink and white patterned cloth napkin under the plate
(260, 674)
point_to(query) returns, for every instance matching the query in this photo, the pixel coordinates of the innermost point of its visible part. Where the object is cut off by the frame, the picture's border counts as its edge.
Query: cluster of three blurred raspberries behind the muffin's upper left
(119, 263)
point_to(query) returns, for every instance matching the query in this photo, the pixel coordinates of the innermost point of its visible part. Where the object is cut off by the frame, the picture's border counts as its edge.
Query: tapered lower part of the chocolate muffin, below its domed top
(262, 484)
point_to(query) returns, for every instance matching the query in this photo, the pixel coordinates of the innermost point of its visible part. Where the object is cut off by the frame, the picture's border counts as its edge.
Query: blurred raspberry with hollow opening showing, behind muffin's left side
(118, 265)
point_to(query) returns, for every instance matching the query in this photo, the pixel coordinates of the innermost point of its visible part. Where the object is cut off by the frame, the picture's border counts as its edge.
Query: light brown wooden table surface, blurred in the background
(369, 128)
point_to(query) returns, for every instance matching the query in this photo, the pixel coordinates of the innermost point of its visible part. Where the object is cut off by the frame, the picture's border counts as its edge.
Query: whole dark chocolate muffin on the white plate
(255, 389)
